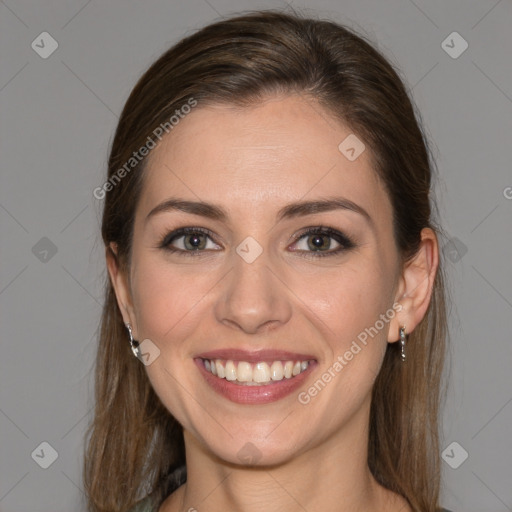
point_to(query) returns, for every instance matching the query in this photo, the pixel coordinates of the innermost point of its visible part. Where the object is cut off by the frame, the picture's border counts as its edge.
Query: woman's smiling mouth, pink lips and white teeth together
(257, 377)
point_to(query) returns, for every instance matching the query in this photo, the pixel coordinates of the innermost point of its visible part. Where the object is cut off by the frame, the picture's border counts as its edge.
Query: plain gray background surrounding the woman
(57, 120)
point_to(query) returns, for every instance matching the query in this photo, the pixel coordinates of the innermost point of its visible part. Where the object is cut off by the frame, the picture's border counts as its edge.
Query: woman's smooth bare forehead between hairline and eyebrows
(259, 158)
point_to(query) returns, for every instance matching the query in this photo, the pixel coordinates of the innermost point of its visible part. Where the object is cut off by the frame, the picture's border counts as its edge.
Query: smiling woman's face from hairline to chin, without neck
(291, 266)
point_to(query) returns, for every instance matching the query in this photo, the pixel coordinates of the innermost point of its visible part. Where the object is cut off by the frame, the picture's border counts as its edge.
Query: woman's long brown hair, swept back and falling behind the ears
(133, 443)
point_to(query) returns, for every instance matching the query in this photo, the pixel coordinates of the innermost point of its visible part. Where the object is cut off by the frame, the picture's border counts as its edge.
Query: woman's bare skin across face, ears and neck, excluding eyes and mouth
(252, 162)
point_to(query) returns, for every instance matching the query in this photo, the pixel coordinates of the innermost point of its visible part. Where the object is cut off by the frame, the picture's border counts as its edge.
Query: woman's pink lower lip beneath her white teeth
(261, 394)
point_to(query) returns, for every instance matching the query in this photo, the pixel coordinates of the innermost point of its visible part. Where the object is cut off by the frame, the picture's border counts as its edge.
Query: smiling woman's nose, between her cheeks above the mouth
(253, 298)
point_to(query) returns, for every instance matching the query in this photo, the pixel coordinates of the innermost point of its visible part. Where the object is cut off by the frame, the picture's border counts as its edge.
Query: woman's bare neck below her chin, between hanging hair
(332, 476)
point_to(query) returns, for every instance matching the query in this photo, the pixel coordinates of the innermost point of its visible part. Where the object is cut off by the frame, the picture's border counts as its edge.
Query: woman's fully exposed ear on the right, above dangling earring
(415, 286)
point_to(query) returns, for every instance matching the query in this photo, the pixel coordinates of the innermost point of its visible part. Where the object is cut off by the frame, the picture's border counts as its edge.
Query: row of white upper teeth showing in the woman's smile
(254, 374)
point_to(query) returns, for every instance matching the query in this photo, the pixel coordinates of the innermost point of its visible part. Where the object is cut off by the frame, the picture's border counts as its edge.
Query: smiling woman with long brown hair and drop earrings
(274, 269)
